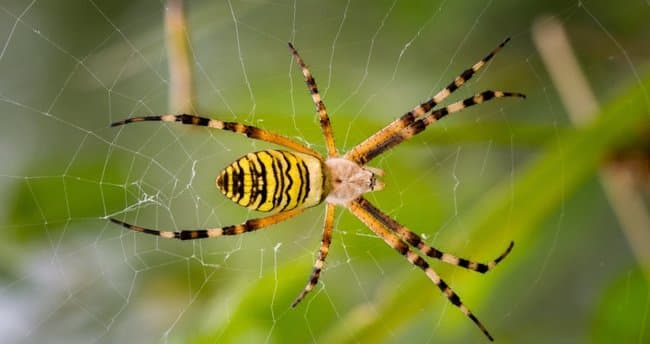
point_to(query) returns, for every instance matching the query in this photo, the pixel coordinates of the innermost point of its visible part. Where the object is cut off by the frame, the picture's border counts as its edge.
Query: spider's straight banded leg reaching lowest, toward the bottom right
(365, 212)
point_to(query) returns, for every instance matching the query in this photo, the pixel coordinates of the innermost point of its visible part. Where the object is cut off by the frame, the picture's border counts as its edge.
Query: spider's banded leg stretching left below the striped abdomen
(248, 226)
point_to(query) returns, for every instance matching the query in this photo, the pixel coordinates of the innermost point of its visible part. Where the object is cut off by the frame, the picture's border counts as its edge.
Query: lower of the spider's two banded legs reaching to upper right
(418, 126)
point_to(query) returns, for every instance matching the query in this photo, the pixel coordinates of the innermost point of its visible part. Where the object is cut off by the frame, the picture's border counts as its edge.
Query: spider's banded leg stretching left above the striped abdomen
(235, 127)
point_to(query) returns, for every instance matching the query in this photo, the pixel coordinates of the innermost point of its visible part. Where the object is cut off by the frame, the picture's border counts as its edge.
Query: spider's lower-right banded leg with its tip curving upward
(416, 241)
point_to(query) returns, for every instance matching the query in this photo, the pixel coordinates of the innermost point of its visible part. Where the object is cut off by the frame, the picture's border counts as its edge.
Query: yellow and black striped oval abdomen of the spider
(273, 180)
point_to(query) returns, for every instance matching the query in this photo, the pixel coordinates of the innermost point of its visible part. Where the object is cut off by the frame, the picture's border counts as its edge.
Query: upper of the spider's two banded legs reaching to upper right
(362, 153)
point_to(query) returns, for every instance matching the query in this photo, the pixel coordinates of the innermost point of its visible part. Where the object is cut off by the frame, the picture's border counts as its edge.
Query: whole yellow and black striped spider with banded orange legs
(286, 182)
